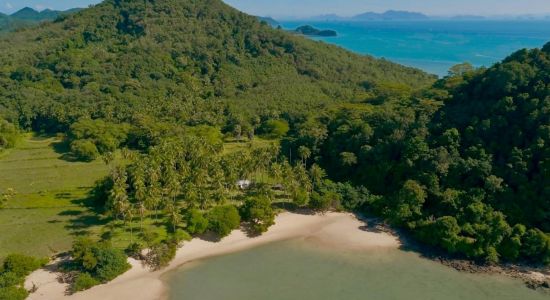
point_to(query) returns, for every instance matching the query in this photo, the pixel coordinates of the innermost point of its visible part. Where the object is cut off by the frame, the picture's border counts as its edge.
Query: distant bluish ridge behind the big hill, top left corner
(28, 17)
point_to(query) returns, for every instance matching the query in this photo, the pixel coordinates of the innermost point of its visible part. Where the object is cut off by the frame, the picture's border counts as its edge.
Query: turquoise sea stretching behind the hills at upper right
(435, 46)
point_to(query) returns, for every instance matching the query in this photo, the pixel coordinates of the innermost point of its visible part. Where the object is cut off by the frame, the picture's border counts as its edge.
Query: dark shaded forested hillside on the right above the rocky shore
(464, 165)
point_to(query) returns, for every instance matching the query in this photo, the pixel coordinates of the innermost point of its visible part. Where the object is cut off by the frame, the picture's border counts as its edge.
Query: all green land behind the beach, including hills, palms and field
(145, 137)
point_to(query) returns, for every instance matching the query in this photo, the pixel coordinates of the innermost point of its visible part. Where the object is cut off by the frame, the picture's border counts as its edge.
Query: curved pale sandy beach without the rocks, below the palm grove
(330, 230)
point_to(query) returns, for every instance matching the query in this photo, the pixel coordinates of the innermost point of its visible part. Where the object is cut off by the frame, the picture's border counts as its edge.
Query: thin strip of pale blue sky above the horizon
(298, 8)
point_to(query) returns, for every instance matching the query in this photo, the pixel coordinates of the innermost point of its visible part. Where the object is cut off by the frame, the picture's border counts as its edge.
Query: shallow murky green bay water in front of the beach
(303, 270)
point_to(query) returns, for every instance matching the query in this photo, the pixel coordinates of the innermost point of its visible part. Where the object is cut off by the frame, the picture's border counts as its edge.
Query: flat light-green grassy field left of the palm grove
(50, 206)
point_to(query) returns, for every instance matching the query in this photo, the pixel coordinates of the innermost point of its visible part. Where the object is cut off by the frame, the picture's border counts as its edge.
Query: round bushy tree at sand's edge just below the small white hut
(260, 214)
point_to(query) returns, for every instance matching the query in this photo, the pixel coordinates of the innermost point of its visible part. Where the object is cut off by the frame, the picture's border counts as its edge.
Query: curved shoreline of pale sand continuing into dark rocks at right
(331, 230)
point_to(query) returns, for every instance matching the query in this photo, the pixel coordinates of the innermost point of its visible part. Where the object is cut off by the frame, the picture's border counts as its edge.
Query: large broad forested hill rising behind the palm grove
(179, 60)
